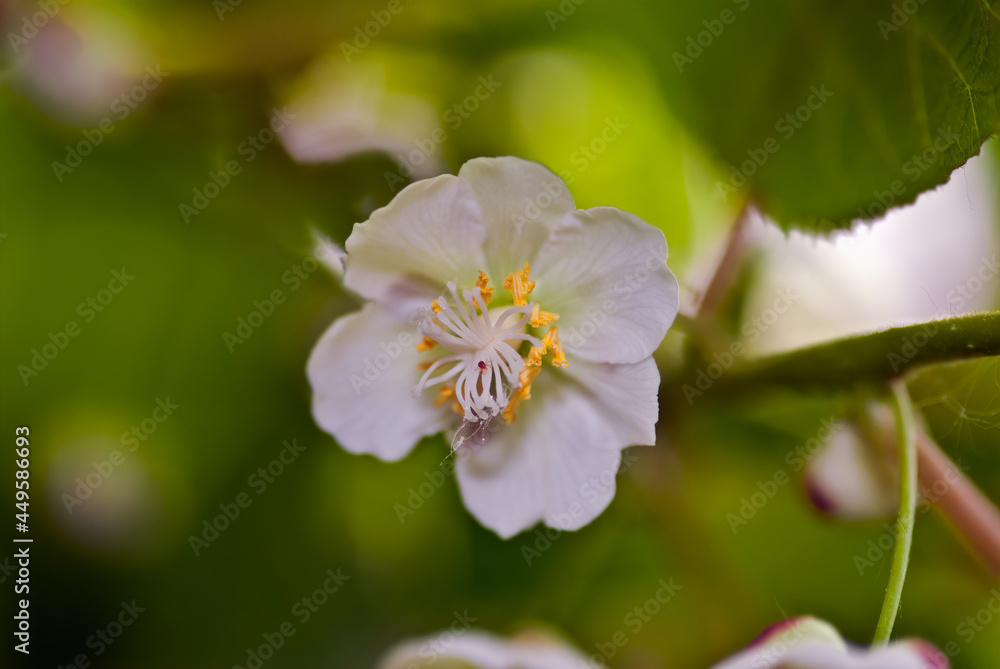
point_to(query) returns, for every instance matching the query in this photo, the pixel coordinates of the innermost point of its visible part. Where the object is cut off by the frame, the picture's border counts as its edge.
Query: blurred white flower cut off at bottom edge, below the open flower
(473, 649)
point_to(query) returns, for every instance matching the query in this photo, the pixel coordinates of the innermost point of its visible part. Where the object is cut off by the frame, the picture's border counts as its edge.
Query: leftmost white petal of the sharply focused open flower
(361, 372)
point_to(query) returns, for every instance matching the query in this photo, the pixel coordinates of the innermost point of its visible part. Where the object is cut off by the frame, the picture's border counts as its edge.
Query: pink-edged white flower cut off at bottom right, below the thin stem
(809, 643)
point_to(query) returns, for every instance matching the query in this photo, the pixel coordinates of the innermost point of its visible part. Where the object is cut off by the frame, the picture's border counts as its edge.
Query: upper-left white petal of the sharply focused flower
(431, 233)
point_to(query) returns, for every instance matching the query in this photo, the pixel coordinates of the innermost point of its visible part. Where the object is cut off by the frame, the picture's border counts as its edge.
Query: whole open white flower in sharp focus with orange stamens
(441, 347)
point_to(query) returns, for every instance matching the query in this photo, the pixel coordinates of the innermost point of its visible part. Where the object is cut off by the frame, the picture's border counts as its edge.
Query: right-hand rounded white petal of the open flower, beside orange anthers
(604, 272)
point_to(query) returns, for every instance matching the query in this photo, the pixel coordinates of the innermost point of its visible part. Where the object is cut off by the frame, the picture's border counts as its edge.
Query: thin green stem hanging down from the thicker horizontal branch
(906, 446)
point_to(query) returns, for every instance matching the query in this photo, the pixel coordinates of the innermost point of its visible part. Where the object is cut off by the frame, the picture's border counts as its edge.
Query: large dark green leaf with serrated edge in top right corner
(902, 93)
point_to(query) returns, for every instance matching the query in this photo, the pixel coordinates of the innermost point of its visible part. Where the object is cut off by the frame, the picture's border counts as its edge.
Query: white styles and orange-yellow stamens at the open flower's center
(483, 372)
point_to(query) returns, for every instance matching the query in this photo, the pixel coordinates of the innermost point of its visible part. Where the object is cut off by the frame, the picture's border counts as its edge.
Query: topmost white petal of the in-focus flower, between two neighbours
(522, 203)
